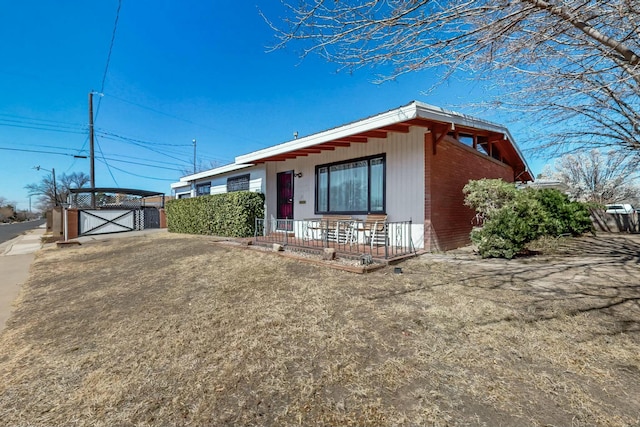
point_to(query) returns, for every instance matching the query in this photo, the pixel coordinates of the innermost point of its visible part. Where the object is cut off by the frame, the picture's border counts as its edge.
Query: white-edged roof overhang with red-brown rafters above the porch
(379, 126)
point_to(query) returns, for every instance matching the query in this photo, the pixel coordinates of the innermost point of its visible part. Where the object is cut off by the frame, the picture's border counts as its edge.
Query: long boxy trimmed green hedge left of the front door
(228, 214)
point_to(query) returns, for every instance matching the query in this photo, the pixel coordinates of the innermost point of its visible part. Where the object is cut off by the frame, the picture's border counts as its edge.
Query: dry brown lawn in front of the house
(180, 330)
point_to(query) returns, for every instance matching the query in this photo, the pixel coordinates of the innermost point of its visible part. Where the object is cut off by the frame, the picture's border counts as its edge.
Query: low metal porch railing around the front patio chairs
(386, 240)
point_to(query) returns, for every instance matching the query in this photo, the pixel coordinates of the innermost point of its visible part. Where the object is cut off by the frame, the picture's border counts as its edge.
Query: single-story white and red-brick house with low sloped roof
(409, 163)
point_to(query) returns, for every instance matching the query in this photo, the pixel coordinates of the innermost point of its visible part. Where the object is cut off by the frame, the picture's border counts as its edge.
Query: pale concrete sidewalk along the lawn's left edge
(16, 257)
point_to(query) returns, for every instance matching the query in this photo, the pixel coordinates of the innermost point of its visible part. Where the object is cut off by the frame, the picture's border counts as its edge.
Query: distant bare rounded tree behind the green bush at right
(594, 177)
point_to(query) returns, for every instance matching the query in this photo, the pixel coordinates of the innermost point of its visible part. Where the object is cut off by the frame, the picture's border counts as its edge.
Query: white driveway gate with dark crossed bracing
(109, 221)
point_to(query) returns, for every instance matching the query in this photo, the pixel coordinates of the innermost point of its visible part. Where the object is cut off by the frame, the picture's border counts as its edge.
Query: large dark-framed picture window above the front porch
(353, 187)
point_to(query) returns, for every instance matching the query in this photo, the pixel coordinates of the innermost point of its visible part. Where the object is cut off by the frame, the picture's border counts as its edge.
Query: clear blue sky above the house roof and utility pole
(177, 71)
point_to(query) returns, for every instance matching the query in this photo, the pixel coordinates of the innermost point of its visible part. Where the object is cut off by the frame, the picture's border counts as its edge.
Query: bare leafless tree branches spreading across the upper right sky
(573, 65)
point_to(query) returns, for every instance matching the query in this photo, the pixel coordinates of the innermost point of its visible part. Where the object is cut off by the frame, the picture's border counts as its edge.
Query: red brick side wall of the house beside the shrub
(447, 219)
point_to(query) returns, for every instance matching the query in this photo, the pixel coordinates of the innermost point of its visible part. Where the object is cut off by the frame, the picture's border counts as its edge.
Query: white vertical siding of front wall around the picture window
(404, 178)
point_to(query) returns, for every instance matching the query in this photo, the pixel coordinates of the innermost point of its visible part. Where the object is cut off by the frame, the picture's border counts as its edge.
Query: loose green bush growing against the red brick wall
(514, 218)
